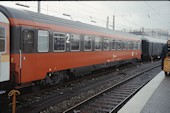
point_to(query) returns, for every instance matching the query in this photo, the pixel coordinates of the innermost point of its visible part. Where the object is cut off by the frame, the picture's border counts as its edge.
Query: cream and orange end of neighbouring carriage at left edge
(4, 48)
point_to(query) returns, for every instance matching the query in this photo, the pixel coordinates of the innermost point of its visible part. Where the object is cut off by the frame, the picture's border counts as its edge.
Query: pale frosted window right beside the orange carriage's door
(43, 41)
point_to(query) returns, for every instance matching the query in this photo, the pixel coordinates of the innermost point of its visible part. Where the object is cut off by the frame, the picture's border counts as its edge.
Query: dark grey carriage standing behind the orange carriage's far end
(151, 47)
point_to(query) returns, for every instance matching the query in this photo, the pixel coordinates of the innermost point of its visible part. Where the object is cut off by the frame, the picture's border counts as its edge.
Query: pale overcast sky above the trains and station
(129, 15)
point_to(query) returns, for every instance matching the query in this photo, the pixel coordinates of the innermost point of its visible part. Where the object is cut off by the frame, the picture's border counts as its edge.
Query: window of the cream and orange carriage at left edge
(2, 39)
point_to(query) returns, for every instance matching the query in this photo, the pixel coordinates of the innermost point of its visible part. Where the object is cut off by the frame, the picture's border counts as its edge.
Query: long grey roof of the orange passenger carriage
(37, 17)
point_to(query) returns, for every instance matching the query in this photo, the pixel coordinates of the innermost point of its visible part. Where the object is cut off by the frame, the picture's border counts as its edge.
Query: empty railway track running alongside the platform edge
(114, 97)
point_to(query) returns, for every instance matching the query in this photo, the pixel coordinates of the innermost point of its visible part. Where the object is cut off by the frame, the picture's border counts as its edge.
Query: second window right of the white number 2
(87, 43)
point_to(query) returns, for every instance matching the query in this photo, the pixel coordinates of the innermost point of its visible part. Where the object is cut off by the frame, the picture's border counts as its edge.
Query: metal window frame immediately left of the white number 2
(60, 37)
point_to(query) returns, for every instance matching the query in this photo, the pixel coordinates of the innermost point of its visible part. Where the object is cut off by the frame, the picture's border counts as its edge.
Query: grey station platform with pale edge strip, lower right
(154, 97)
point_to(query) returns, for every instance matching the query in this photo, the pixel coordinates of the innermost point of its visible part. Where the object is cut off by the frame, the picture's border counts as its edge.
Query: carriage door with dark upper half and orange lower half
(27, 55)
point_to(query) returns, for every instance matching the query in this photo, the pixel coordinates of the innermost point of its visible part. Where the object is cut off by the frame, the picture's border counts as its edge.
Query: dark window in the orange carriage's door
(28, 41)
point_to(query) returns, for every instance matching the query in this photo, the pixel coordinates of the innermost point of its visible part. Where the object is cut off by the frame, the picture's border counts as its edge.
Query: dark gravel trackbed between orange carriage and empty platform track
(48, 98)
